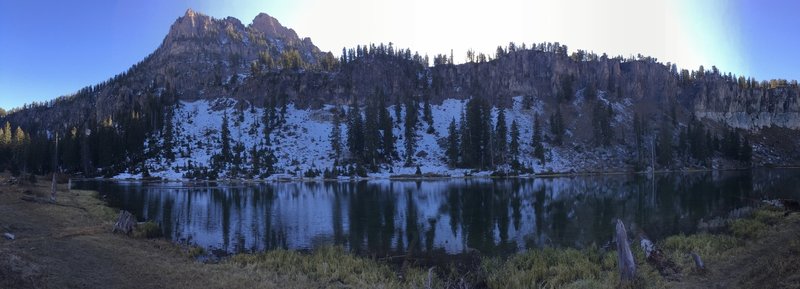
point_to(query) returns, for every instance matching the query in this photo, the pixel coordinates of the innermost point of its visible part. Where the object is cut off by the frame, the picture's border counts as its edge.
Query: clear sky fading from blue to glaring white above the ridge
(53, 48)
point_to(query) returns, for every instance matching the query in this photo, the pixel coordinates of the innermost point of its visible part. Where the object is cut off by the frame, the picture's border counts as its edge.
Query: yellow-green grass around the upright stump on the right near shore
(595, 268)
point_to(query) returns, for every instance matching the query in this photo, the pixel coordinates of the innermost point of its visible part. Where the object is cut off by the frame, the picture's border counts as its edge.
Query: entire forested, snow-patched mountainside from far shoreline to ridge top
(279, 95)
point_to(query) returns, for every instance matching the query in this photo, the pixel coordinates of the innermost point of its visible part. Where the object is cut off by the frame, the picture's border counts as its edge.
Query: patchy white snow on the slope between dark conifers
(303, 141)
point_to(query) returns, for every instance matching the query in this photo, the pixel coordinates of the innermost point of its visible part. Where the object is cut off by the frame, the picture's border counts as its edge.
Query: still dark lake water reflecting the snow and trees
(494, 216)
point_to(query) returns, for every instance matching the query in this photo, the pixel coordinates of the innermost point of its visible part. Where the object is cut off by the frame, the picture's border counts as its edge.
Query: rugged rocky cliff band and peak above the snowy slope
(206, 58)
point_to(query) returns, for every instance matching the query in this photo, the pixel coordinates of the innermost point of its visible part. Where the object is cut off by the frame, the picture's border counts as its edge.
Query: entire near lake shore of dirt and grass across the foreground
(68, 244)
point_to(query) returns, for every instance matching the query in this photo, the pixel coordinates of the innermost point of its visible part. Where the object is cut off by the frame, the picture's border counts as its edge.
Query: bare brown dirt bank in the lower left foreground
(68, 245)
